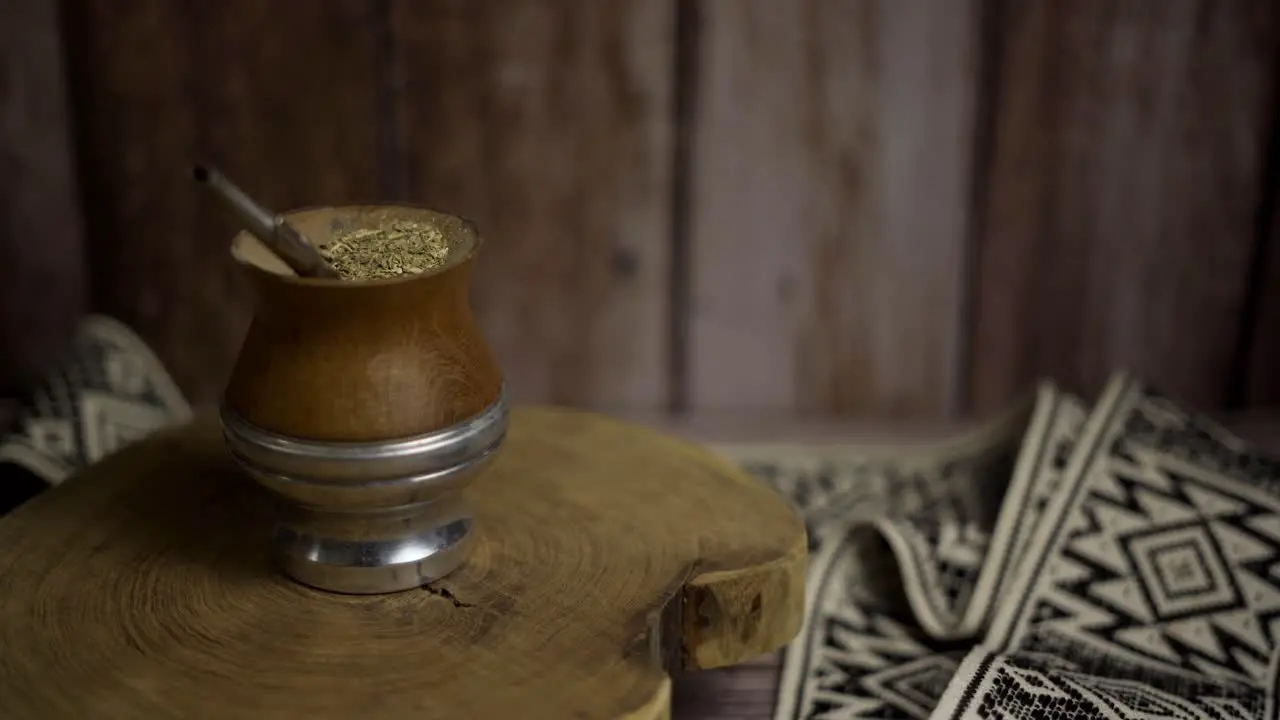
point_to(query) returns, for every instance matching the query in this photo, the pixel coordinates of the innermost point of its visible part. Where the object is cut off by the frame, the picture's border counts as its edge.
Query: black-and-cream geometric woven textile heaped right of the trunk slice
(1122, 563)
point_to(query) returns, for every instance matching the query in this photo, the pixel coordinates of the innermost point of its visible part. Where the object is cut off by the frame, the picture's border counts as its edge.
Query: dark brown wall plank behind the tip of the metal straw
(280, 95)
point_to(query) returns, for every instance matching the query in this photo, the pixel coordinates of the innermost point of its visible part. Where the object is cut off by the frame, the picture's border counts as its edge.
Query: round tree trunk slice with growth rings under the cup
(606, 558)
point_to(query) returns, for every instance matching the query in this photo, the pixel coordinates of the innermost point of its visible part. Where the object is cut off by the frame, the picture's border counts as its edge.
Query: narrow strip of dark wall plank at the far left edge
(43, 280)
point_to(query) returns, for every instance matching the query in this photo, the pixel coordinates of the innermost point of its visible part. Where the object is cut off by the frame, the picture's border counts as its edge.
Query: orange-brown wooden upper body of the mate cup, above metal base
(358, 362)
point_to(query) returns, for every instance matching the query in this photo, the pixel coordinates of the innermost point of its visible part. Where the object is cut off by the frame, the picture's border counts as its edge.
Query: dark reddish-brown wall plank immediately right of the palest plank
(1130, 142)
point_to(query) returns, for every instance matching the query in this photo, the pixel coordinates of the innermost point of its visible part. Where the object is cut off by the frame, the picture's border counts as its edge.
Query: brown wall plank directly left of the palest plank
(547, 122)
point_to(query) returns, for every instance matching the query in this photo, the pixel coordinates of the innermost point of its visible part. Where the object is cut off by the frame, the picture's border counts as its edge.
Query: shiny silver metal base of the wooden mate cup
(371, 518)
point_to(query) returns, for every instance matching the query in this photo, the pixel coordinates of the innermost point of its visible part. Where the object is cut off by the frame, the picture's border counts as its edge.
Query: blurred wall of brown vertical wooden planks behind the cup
(861, 208)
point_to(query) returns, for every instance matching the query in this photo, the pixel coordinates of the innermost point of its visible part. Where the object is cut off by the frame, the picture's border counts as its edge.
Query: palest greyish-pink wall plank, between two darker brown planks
(831, 167)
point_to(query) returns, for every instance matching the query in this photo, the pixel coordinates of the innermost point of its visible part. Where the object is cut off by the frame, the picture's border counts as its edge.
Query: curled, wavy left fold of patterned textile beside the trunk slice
(900, 539)
